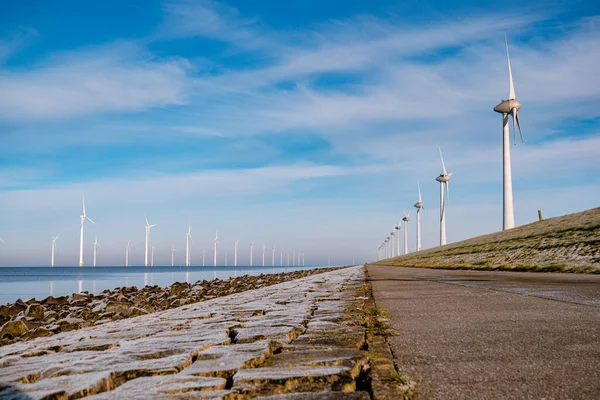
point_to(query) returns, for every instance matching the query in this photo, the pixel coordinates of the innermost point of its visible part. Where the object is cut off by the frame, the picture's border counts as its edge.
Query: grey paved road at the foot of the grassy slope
(491, 335)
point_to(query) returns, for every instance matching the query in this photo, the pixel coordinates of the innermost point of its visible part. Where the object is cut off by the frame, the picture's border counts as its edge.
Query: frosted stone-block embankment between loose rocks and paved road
(302, 339)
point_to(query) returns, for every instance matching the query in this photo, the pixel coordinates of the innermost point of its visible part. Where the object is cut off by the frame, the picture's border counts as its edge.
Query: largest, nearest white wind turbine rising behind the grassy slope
(508, 107)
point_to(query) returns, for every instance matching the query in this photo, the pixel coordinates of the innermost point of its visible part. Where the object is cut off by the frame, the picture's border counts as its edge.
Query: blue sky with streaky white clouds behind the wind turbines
(300, 124)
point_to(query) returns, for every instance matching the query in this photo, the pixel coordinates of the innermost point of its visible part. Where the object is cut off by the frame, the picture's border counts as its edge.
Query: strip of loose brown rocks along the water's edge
(24, 320)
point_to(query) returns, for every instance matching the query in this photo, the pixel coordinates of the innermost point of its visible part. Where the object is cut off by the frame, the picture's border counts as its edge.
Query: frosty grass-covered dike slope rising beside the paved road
(570, 243)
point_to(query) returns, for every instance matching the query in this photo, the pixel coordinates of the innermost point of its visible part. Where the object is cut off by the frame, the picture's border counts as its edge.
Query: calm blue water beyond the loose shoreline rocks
(40, 282)
